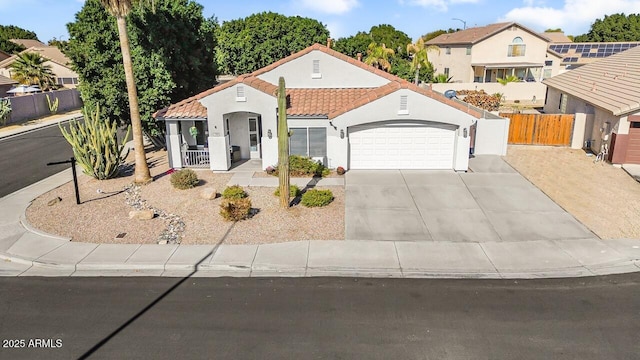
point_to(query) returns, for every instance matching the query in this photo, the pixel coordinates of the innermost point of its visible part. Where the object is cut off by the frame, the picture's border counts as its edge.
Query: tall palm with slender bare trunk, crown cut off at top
(120, 9)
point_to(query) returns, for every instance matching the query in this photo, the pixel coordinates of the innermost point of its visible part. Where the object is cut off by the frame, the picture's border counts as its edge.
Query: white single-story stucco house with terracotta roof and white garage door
(340, 111)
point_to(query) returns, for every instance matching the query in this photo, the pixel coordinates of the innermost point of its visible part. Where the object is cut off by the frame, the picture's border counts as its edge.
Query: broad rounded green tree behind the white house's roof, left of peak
(248, 44)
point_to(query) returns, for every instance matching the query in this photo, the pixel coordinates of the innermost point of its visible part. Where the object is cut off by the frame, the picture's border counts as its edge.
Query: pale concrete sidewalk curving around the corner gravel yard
(28, 252)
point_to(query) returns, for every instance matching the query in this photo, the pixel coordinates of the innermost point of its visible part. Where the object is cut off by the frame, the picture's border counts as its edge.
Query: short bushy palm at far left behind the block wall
(30, 69)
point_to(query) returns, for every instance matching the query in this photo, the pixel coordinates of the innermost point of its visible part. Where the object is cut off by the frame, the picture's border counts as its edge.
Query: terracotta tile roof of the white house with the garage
(317, 101)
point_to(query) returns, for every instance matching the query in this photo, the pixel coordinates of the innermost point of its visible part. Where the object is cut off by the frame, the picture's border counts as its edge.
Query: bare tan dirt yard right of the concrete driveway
(604, 198)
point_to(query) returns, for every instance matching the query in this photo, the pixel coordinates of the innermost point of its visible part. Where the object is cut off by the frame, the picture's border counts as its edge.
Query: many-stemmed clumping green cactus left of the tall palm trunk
(95, 144)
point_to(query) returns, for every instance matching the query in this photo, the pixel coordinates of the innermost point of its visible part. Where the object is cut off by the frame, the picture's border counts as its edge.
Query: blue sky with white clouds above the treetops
(346, 17)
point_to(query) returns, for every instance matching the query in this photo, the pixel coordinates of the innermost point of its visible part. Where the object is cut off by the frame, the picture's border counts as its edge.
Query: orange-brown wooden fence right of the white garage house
(540, 129)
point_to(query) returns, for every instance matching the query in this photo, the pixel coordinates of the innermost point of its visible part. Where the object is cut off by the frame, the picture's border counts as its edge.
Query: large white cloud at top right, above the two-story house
(574, 17)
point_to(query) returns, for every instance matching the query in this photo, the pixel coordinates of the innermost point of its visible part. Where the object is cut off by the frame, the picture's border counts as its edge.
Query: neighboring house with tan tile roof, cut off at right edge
(605, 98)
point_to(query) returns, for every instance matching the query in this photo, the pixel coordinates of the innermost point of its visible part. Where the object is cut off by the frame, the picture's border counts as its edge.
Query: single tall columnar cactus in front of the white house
(283, 145)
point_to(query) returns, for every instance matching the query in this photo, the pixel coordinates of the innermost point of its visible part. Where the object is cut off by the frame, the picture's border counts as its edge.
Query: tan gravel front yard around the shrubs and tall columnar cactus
(103, 214)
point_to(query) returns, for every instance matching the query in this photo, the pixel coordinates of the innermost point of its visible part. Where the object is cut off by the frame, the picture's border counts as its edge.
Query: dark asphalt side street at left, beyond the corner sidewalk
(24, 157)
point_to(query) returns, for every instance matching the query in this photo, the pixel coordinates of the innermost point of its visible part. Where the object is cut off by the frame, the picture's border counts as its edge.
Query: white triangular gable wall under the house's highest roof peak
(335, 73)
